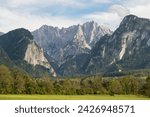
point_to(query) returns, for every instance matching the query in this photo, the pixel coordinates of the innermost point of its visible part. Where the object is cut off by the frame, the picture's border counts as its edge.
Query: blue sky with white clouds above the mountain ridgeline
(32, 14)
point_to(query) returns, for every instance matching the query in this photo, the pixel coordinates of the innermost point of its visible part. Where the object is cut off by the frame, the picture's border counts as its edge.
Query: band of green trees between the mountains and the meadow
(15, 81)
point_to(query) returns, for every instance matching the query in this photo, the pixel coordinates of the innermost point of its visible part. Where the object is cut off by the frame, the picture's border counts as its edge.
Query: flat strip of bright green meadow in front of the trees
(72, 97)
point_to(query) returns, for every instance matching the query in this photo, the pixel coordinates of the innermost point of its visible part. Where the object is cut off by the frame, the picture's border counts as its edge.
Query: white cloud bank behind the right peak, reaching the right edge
(116, 13)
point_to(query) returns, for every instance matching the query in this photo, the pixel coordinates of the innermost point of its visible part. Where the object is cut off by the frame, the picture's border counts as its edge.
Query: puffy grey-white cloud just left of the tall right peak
(111, 18)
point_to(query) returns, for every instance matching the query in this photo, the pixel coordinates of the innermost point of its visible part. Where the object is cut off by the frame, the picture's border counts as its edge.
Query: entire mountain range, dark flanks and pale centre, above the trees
(86, 49)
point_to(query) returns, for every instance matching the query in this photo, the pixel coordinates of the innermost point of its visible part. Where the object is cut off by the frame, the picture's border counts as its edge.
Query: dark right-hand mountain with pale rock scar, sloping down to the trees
(128, 48)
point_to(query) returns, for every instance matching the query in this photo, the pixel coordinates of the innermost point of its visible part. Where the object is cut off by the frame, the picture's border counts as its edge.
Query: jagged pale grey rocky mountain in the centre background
(77, 39)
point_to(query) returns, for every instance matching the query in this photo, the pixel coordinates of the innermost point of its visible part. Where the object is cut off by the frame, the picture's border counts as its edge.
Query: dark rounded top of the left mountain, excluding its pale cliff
(17, 40)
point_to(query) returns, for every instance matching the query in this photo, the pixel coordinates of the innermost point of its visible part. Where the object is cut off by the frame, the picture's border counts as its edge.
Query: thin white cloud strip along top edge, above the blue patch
(67, 3)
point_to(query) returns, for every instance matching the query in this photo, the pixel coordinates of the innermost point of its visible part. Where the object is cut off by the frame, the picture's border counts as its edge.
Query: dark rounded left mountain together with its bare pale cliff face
(20, 47)
